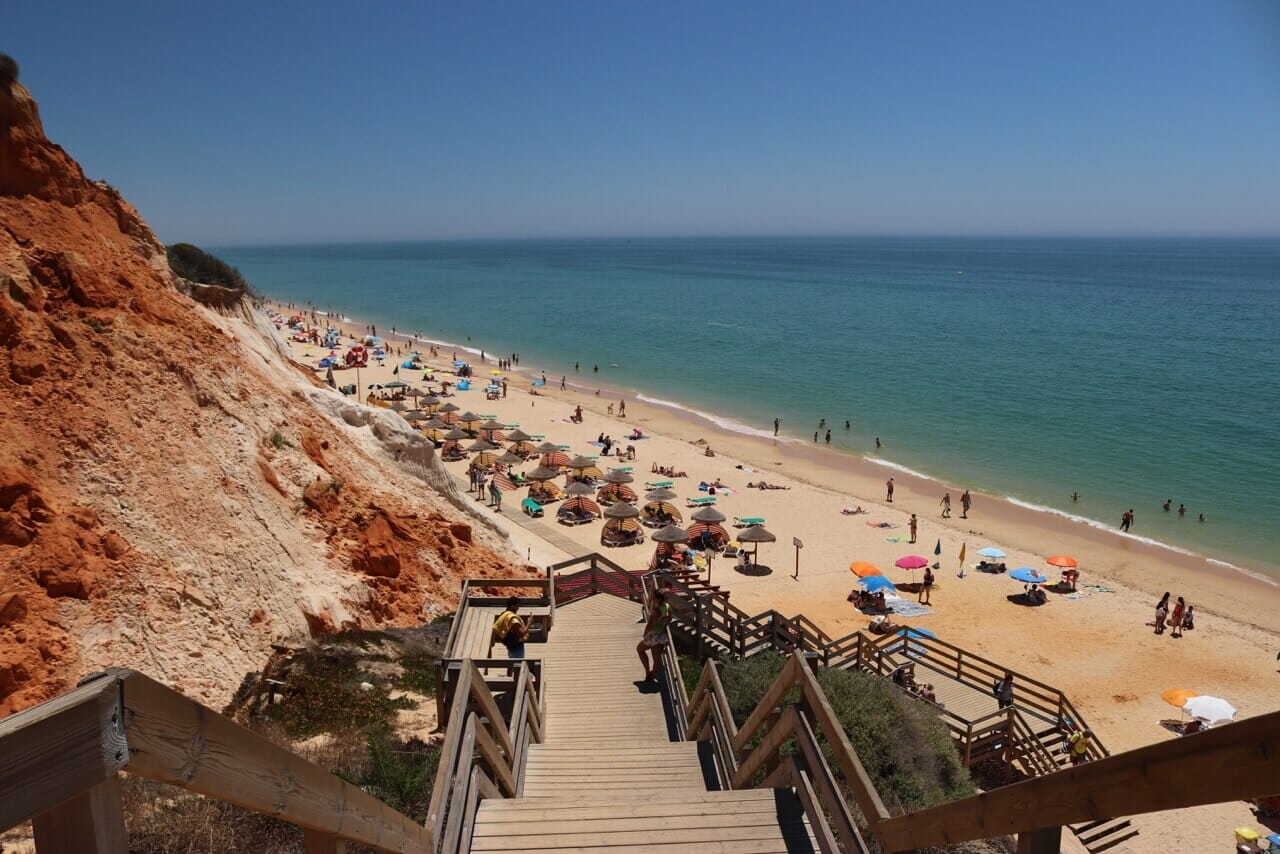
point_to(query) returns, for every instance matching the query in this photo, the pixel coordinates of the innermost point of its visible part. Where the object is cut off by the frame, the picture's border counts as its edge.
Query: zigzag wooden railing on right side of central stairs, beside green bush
(779, 747)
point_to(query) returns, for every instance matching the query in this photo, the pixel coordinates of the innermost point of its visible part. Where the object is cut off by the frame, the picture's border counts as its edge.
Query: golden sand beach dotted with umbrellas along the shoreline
(1098, 649)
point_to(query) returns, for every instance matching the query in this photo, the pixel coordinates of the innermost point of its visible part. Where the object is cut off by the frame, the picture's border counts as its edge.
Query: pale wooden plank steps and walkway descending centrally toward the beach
(609, 775)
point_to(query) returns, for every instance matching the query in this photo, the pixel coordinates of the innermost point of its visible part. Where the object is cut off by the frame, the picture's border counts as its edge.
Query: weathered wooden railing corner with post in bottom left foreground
(62, 761)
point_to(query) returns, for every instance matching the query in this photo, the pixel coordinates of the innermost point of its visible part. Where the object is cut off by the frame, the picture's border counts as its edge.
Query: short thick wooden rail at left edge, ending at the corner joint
(58, 750)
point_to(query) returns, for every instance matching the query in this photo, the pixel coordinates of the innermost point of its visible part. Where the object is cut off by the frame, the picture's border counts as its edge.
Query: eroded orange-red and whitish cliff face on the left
(175, 496)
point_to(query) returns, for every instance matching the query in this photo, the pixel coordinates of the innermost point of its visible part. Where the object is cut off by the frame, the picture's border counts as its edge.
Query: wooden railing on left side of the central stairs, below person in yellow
(482, 756)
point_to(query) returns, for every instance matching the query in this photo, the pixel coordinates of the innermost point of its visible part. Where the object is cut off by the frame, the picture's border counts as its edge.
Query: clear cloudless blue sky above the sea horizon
(300, 122)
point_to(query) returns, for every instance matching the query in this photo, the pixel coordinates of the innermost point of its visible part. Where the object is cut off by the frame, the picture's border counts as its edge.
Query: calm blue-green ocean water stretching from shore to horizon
(1127, 371)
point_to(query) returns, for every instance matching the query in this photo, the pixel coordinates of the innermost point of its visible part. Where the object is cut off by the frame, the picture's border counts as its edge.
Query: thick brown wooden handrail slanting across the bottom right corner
(1232, 762)
